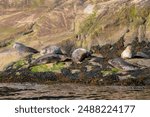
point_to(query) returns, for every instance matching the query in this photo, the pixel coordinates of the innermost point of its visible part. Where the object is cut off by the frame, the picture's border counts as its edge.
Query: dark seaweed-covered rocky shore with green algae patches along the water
(94, 69)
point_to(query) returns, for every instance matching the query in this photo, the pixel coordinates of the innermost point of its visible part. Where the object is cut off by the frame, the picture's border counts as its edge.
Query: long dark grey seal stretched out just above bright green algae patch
(49, 58)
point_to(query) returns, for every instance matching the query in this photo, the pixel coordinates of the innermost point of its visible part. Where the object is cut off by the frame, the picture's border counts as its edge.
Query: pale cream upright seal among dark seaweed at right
(127, 53)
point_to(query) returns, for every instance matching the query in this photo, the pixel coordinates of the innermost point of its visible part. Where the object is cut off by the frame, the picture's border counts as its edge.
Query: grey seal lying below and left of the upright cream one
(122, 64)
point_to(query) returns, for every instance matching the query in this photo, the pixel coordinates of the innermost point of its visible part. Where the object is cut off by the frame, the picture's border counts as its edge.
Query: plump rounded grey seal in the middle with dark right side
(80, 54)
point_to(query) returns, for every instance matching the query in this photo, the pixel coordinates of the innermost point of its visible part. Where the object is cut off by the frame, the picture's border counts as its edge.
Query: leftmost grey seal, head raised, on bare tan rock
(21, 48)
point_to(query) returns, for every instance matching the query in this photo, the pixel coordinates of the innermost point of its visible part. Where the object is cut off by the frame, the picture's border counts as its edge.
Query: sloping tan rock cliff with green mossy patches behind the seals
(86, 23)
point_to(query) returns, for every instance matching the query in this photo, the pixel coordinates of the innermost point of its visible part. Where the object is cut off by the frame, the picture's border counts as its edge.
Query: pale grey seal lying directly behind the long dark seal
(51, 50)
